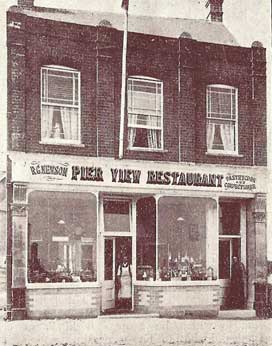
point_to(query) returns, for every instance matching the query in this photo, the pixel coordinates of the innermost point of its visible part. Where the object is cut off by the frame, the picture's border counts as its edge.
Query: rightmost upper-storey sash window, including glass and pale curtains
(222, 119)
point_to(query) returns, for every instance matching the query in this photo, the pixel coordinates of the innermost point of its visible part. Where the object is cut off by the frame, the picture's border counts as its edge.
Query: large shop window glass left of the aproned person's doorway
(62, 237)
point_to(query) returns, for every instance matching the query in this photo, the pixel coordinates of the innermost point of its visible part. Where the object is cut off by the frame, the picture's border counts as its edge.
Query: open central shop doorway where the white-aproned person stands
(115, 297)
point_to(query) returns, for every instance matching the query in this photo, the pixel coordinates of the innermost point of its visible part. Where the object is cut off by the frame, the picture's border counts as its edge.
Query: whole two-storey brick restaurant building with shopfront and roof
(189, 190)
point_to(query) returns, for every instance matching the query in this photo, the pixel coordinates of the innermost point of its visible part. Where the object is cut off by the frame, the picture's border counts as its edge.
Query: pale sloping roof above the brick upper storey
(199, 29)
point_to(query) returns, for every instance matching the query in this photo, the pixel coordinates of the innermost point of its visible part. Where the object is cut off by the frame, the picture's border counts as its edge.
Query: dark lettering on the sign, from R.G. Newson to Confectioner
(113, 175)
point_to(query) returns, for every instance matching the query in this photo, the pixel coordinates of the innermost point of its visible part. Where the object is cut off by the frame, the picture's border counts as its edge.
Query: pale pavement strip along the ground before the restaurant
(137, 331)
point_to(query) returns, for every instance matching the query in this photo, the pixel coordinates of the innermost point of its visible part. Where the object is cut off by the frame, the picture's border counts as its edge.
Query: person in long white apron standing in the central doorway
(124, 277)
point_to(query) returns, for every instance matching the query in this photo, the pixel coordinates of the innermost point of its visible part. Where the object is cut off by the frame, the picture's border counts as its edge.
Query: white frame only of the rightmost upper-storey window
(233, 118)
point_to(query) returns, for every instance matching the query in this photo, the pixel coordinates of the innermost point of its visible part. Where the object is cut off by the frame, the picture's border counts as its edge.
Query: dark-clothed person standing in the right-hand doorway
(237, 284)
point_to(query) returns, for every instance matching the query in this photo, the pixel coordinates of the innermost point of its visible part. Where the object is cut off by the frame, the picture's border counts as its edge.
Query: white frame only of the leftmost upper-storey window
(62, 141)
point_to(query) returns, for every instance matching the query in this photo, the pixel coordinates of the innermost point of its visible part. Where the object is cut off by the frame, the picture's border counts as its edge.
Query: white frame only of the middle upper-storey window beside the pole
(157, 82)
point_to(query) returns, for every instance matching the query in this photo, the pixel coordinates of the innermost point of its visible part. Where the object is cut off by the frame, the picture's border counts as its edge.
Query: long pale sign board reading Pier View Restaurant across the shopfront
(109, 172)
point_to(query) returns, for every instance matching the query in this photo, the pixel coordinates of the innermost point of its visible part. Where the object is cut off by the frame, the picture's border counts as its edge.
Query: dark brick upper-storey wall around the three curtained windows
(184, 65)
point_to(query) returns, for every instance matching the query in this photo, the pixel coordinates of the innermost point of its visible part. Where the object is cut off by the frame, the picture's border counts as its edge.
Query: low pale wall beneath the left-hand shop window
(62, 302)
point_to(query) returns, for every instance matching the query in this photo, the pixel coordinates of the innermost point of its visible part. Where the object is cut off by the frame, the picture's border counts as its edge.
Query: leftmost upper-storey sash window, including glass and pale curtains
(60, 105)
